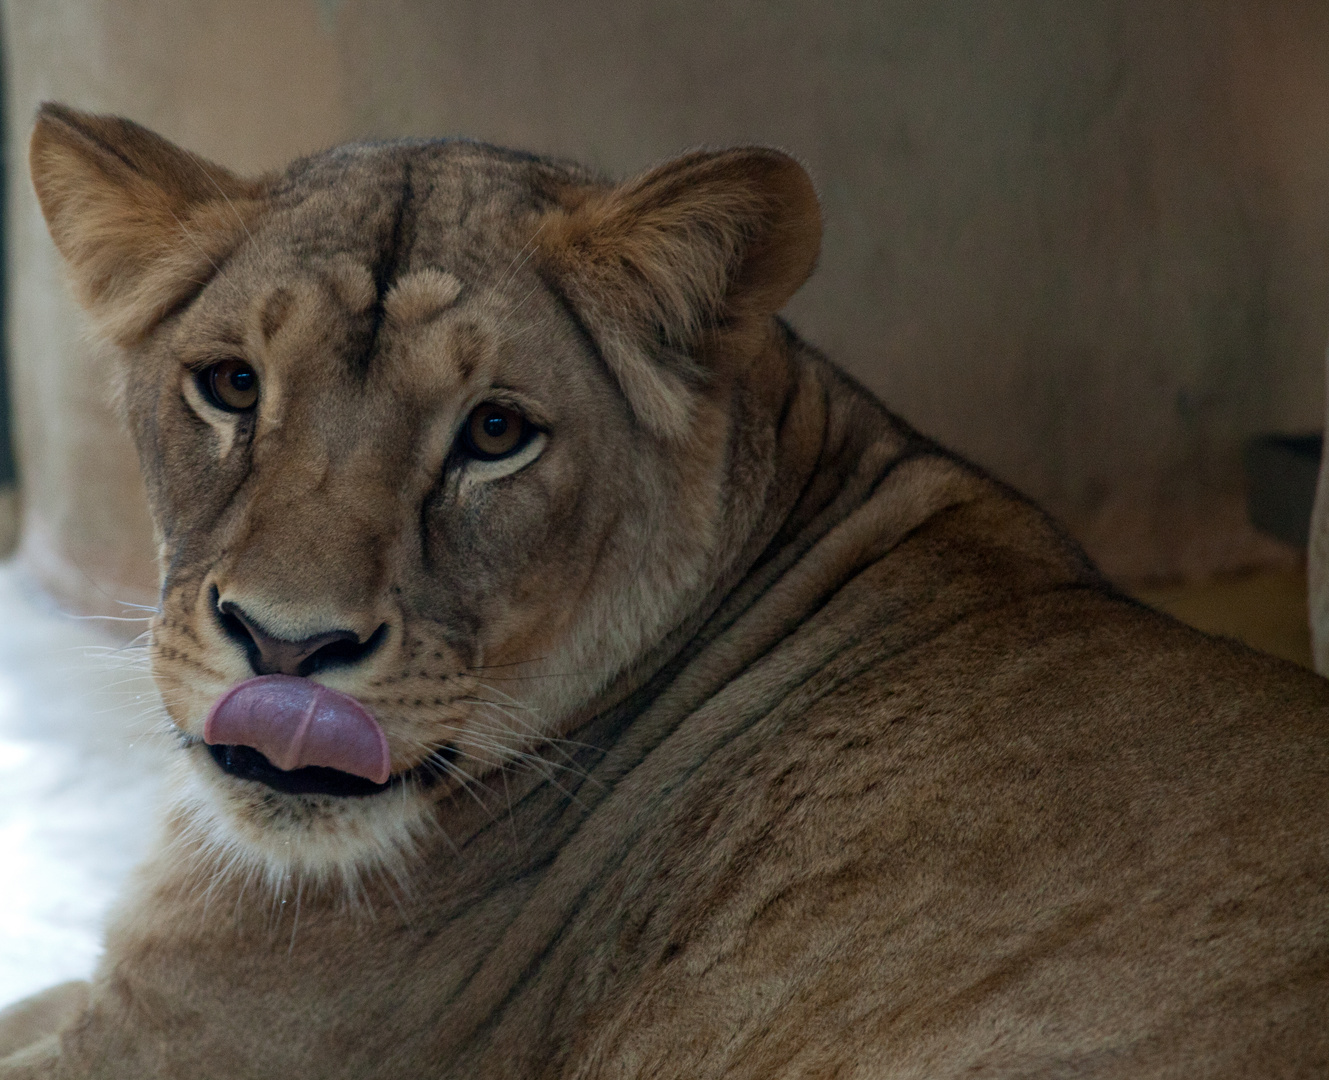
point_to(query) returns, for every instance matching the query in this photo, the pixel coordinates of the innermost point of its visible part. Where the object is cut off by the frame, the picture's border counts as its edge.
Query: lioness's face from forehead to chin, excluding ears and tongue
(486, 585)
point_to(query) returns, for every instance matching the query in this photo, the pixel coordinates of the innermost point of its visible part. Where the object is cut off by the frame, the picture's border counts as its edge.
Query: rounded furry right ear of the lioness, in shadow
(704, 244)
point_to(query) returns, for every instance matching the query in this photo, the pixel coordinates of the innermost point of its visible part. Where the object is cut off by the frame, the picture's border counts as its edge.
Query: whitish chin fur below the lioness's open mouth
(293, 843)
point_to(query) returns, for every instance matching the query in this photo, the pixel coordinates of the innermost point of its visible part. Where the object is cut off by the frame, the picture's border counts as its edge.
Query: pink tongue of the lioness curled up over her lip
(297, 723)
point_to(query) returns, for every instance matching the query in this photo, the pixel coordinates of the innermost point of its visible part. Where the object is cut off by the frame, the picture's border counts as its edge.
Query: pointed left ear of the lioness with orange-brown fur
(142, 223)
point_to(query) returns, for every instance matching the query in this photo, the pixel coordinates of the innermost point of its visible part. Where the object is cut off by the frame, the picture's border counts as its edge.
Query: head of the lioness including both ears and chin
(435, 434)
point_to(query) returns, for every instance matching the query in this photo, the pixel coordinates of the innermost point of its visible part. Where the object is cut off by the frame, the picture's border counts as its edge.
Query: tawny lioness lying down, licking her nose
(576, 675)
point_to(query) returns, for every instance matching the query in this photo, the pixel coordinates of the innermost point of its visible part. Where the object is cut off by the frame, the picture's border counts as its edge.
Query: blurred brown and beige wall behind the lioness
(1085, 244)
